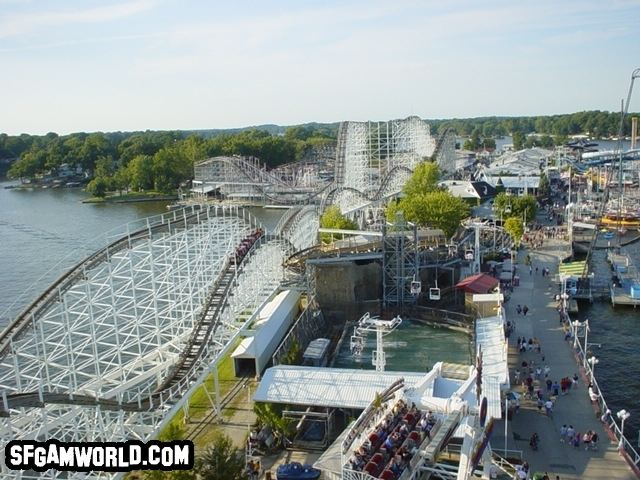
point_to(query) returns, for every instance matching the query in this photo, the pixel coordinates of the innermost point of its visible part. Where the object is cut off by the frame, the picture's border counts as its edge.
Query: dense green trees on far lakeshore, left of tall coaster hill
(158, 161)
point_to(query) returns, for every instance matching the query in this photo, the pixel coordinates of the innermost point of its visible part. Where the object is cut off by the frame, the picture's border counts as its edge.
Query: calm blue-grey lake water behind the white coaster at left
(43, 232)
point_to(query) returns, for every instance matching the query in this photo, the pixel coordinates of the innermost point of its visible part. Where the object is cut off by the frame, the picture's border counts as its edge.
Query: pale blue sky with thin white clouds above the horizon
(122, 65)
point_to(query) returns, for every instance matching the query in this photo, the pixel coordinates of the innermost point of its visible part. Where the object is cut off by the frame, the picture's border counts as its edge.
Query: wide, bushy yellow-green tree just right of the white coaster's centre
(437, 209)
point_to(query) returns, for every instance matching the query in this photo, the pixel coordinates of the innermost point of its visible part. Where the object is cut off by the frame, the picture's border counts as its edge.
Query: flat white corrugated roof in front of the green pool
(327, 387)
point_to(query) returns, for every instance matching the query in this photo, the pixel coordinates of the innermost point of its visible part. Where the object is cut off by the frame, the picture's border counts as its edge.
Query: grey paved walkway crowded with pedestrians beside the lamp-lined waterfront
(575, 408)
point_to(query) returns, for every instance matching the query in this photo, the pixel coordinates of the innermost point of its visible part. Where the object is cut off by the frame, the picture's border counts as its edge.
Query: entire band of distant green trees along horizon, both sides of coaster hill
(165, 159)
